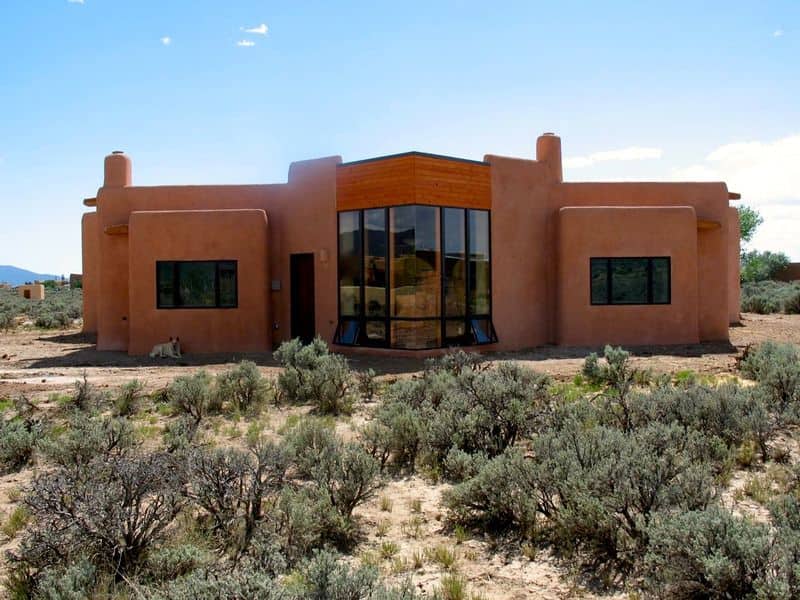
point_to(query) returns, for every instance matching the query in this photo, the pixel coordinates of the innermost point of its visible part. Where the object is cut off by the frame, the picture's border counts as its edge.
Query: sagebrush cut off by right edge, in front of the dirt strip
(776, 368)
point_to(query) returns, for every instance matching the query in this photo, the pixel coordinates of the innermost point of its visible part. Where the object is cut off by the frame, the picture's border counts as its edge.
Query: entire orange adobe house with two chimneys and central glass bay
(411, 252)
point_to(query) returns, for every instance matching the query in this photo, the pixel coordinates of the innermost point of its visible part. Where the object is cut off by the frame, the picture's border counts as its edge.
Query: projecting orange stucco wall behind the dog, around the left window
(239, 235)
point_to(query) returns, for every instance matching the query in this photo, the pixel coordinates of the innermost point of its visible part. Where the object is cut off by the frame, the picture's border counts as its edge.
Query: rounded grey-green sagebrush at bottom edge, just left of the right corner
(706, 554)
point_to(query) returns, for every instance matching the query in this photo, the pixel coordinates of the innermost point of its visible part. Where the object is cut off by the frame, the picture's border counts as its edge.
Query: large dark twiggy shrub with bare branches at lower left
(112, 512)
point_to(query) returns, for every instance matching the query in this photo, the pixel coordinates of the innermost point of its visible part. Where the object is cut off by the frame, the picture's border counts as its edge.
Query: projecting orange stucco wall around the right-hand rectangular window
(588, 232)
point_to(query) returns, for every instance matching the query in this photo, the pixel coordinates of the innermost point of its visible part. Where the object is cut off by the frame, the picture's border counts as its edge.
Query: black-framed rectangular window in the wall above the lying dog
(196, 284)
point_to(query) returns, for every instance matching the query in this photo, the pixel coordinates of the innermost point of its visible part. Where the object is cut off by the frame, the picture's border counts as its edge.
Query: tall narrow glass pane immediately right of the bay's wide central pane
(455, 263)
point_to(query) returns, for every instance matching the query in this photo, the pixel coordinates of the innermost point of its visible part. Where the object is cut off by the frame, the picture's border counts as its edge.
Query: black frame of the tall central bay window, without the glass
(470, 320)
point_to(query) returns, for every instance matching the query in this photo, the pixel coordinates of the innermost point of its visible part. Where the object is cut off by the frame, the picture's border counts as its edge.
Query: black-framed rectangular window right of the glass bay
(631, 280)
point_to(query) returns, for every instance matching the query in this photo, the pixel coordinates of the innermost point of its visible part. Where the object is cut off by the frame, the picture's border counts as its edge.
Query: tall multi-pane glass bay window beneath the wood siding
(426, 275)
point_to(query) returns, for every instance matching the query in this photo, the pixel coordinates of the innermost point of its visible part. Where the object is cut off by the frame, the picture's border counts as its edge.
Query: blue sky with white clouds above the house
(637, 90)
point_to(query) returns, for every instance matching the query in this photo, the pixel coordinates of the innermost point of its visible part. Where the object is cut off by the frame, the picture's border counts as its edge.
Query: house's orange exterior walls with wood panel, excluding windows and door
(543, 231)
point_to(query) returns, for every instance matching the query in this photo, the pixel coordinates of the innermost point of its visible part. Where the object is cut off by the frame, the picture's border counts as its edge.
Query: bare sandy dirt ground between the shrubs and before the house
(406, 519)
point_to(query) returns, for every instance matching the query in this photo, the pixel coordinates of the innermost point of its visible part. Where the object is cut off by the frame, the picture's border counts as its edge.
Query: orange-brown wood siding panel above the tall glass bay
(413, 179)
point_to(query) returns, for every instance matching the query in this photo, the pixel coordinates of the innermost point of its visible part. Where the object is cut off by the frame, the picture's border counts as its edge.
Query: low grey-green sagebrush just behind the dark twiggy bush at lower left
(85, 438)
